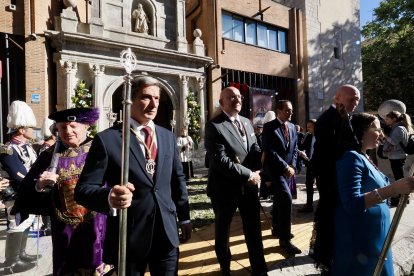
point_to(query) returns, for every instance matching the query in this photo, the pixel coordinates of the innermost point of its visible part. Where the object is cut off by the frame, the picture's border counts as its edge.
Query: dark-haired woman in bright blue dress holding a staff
(362, 217)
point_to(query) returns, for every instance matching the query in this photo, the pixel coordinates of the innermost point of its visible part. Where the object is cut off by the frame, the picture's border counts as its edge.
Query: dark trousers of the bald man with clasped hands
(249, 207)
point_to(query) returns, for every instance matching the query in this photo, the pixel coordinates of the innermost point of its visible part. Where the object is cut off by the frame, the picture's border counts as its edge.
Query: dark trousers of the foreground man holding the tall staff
(162, 258)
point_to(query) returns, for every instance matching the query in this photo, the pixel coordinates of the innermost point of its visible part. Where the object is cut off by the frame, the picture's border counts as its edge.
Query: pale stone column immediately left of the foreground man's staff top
(97, 73)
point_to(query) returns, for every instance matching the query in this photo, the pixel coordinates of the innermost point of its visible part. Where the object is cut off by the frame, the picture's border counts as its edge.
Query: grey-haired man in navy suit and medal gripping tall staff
(155, 195)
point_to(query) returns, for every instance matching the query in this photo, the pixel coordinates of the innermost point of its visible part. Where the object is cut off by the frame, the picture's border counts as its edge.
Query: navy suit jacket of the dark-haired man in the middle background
(277, 154)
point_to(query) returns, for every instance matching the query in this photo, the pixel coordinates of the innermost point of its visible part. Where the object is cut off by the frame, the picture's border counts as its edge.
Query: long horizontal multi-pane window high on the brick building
(252, 32)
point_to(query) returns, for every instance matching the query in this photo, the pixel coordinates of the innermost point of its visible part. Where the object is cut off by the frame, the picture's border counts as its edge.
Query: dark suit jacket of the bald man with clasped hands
(230, 163)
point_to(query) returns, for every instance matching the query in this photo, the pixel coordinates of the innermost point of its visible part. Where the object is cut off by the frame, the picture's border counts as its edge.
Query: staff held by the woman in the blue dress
(391, 232)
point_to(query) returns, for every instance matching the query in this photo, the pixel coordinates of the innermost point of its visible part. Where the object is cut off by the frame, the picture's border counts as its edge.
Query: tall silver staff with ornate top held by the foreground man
(128, 61)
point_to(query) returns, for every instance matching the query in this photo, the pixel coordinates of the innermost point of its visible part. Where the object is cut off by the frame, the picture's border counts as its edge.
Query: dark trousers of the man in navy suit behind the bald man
(282, 209)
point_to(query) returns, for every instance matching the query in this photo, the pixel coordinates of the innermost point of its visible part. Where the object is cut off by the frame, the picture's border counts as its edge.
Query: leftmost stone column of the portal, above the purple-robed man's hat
(66, 89)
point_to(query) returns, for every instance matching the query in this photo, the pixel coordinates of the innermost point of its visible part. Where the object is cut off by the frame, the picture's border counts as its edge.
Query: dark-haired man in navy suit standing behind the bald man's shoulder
(280, 144)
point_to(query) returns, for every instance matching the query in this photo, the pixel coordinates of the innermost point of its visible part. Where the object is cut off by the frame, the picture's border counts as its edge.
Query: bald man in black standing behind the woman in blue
(334, 136)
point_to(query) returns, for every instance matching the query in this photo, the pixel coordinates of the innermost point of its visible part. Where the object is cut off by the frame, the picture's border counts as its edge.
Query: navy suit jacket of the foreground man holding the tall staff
(166, 193)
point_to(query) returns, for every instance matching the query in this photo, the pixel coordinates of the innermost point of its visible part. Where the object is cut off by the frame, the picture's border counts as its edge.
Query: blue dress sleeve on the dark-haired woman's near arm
(349, 171)
